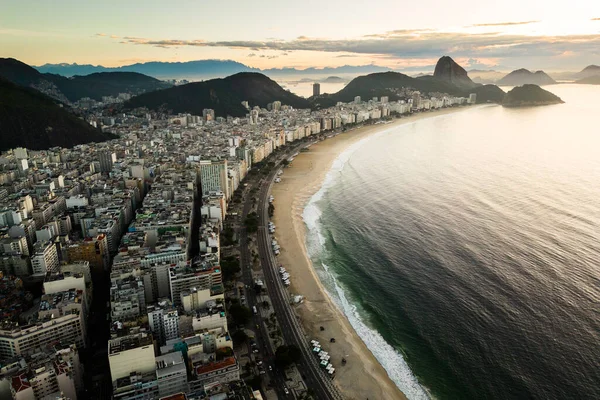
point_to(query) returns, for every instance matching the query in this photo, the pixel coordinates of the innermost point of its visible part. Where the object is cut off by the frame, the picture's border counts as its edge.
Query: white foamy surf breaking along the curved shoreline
(391, 360)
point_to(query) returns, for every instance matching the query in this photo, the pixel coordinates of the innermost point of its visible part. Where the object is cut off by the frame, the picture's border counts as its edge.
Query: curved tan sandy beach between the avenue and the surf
(362, 377)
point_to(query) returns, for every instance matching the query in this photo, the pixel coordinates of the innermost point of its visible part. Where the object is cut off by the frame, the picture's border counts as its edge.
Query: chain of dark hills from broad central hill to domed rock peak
(225, 95)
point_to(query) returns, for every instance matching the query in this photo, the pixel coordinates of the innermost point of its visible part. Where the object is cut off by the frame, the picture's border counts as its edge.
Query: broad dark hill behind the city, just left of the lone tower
(222, 95)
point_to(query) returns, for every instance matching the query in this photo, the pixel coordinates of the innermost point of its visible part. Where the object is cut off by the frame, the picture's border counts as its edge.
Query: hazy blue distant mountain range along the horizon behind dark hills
(201, 69)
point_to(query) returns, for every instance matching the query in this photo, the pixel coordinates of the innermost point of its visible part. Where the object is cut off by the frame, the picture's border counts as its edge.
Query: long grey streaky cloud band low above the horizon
(411, 44)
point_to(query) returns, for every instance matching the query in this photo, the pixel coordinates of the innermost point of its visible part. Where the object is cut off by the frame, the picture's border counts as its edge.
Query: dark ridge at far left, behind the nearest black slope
(72, 89)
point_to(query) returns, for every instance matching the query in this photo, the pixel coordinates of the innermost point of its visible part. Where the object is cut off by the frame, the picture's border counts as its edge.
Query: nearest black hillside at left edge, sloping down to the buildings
(30, 119)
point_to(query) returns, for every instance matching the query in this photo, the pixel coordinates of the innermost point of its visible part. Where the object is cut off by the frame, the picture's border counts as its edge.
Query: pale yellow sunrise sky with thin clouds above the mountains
(399, 34)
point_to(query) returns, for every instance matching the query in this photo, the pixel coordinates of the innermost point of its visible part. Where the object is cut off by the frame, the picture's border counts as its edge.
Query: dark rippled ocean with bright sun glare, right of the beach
(465, 250)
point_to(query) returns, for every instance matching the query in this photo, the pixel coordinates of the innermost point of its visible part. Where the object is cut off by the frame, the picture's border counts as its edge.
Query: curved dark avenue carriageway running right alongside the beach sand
(293, 333)
